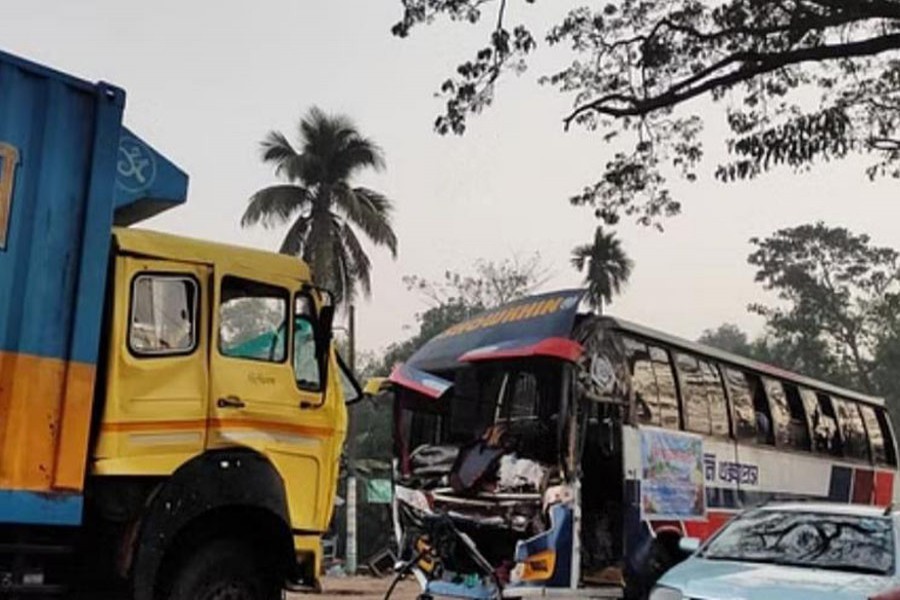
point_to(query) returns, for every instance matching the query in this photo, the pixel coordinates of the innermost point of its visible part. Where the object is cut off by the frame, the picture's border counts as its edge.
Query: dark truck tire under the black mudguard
(223, 570)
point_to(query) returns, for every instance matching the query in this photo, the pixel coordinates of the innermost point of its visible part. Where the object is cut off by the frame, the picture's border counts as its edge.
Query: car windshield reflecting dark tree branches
(808, 539)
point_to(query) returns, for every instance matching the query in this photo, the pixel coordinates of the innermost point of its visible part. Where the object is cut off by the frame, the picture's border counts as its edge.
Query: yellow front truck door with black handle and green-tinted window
(269, 391)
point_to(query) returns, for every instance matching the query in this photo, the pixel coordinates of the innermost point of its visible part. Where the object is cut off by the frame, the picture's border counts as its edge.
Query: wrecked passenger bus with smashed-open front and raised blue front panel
(540, 449)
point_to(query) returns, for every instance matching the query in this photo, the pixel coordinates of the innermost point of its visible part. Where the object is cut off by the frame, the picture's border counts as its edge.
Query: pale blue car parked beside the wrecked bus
(792, 551)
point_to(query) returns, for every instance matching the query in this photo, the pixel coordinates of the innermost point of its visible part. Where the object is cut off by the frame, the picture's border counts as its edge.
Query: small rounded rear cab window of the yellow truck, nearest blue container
(163, 315)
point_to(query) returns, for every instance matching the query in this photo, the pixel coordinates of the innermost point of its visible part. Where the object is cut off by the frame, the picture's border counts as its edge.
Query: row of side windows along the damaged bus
(676, 389)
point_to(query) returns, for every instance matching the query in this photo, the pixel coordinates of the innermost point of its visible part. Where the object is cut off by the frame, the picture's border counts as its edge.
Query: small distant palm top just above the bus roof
(608, 267)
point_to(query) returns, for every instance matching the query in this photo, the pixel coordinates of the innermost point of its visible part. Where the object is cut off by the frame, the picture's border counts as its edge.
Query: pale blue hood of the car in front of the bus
(725, 580)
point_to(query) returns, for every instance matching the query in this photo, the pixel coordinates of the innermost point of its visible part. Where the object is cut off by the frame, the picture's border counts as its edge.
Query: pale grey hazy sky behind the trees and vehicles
(207, 80)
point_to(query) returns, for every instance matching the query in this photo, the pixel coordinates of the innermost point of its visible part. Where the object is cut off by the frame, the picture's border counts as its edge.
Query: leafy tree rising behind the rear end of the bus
(840, 298)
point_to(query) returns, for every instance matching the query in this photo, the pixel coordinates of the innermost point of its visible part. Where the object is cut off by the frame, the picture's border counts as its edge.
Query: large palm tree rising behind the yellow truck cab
(324, 210)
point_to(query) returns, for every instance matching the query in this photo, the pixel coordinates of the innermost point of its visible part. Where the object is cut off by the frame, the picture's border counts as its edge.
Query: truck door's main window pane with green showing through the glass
(252, 320)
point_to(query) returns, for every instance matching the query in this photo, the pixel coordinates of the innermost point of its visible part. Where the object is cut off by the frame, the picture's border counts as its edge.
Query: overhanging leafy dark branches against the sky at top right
(801, 82)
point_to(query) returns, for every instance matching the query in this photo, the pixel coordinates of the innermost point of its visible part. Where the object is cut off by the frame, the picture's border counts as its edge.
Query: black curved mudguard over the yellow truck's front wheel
(213, 488)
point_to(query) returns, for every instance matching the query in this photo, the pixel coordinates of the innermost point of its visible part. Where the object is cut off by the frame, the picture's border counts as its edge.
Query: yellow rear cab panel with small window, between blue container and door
(157, 381)
